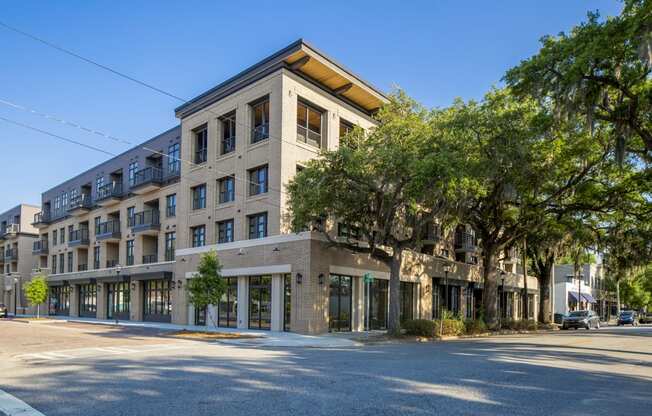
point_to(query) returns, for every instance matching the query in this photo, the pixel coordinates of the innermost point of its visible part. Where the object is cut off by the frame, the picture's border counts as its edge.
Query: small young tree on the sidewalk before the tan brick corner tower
(207, 286)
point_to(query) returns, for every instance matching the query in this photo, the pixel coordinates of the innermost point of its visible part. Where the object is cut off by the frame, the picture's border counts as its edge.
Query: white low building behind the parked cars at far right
(569, 294)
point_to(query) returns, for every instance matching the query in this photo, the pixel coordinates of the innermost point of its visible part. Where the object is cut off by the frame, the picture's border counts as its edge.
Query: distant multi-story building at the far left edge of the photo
(17, 240)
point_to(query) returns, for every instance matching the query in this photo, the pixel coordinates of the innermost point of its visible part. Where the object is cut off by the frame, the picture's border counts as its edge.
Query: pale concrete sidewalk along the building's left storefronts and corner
(262, 338)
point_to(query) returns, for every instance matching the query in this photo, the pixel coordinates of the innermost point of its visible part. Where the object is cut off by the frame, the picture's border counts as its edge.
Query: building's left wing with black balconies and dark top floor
(111, 232)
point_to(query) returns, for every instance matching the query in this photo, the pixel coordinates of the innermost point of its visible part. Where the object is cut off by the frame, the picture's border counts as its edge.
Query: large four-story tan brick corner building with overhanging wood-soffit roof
(241, 142)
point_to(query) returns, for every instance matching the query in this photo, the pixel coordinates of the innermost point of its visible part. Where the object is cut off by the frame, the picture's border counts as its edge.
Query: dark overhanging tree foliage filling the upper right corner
(600, 71)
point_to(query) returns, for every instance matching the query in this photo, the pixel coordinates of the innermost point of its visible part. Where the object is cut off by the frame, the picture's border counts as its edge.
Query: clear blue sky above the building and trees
(435, 50)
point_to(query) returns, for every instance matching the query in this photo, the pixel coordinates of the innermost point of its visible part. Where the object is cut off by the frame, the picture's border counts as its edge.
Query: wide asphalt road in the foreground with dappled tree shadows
(79, 369)
